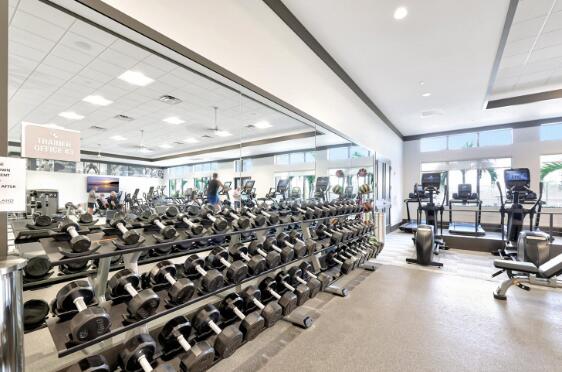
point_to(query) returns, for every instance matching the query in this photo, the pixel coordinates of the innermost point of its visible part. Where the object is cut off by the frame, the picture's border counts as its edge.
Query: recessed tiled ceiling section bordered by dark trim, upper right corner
(532, 58)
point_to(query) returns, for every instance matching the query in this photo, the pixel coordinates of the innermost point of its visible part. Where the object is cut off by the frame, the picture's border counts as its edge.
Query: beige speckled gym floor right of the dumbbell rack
(404, 317)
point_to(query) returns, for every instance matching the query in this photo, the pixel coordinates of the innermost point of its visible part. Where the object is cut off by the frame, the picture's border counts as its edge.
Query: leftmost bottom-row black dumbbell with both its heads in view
(175, 332)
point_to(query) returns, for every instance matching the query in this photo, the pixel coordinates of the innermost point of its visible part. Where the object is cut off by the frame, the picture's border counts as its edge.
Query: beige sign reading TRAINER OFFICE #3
(46, 142)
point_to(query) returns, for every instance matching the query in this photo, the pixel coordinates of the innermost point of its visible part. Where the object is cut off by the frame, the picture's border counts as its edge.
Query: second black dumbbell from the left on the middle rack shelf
(142, 304)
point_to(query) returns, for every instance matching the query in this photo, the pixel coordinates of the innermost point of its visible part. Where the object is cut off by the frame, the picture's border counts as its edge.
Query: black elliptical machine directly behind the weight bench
(523, 245)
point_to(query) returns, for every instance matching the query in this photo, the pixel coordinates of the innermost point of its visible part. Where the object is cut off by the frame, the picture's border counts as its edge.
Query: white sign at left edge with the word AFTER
(12, 184)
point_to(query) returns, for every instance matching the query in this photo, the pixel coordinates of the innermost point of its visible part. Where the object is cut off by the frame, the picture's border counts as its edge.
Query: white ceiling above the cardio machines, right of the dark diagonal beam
(451, 47)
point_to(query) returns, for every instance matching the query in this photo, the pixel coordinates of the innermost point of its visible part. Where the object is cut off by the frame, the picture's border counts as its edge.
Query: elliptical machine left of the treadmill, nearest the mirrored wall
(426, 241)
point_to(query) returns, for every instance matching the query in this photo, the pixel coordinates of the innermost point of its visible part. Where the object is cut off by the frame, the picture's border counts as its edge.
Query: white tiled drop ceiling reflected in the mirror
(56, 60)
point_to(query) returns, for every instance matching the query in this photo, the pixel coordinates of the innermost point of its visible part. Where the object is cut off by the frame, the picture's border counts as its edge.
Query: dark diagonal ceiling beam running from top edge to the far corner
(298, 28)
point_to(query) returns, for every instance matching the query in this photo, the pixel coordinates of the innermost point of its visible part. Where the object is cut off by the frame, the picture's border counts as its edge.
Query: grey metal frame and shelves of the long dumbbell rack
(59, 329)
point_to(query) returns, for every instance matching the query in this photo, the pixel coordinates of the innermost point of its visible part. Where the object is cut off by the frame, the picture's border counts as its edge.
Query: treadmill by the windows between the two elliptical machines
(464, 196)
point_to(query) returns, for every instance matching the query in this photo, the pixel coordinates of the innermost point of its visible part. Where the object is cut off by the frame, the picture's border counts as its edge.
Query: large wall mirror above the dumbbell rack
(155, 121)
